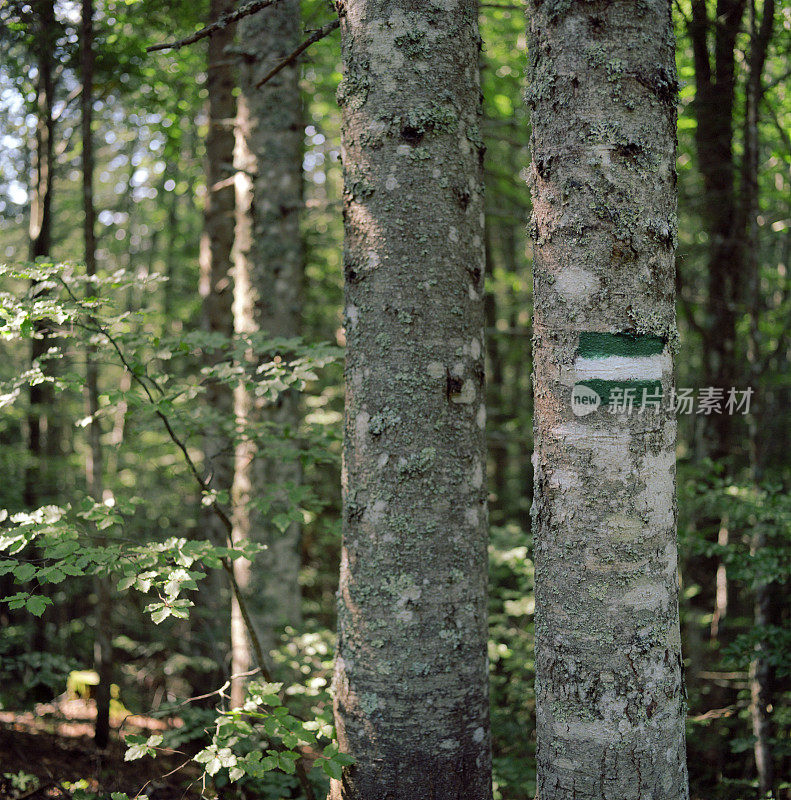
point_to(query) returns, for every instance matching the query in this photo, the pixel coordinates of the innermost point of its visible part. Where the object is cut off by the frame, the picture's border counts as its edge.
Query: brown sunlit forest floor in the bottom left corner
(49, 753)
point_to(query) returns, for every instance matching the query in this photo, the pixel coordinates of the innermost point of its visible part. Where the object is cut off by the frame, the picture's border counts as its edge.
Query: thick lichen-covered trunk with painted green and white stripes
(609, 697)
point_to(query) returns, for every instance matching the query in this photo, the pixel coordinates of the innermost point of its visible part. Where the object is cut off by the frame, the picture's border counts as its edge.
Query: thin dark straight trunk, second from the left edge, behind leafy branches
(102, 649)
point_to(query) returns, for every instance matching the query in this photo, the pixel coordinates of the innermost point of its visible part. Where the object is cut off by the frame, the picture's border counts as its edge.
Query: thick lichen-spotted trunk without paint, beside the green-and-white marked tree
(411, 693)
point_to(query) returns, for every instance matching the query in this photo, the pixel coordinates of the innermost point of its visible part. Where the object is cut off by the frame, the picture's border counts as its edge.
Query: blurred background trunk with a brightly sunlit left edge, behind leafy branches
(268, 269)
